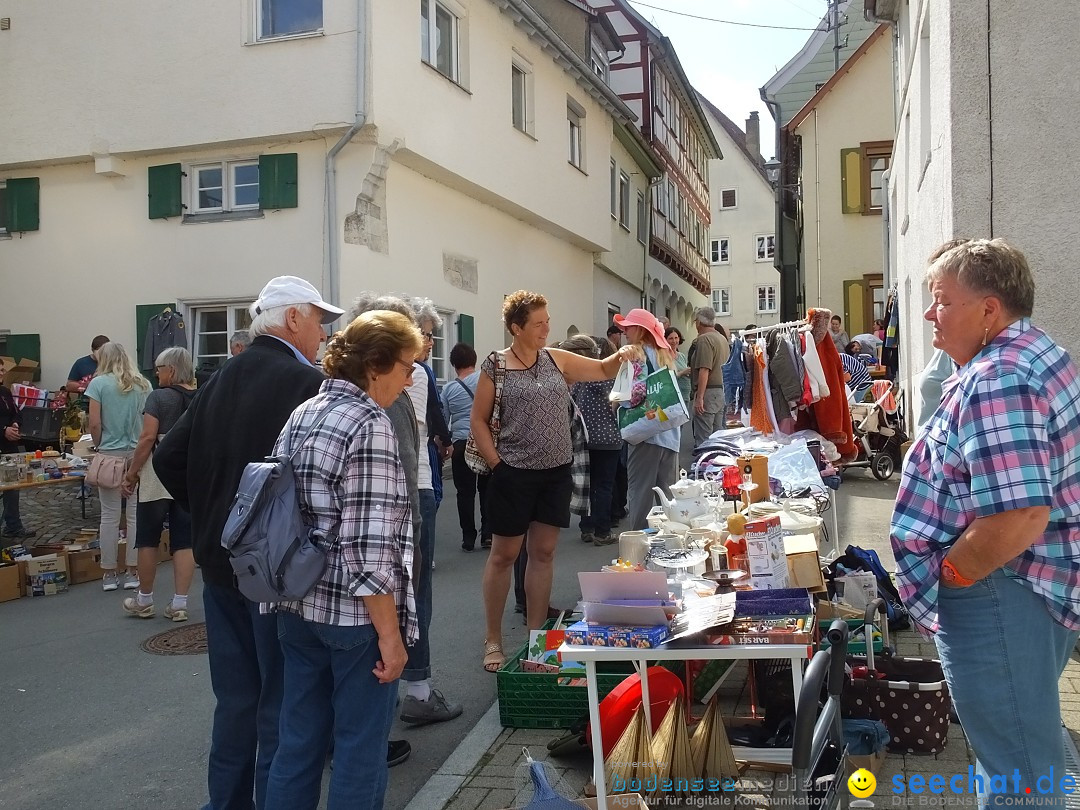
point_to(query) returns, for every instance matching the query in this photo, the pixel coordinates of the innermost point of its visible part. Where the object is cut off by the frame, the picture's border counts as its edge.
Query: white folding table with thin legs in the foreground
(676, 652)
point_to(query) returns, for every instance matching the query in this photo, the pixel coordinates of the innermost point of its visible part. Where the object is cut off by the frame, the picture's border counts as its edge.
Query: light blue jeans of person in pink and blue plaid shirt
(1003, 655)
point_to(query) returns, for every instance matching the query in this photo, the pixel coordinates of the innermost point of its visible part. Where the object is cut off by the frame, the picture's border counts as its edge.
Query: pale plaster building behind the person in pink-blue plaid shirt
(987, 145)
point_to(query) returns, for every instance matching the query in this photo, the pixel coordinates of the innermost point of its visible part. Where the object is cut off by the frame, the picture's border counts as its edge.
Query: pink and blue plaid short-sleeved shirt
(1007, 437)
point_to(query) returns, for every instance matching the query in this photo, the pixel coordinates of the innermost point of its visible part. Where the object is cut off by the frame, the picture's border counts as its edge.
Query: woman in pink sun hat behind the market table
(655, 462)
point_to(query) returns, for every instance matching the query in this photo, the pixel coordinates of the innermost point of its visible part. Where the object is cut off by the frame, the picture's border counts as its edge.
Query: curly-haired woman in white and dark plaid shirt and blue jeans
(344, 645)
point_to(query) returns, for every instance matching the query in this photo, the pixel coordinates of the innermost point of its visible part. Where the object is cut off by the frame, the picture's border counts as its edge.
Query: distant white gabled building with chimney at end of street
(741, 239)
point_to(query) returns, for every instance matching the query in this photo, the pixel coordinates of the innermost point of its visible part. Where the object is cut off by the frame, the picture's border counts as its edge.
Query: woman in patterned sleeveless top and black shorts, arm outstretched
(530, 491)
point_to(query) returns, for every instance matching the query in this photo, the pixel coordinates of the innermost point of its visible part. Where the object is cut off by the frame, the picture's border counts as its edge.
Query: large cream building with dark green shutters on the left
(457, 150)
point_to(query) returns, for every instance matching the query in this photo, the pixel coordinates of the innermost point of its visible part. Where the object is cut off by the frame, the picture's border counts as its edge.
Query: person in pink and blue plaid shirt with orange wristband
(987, 529)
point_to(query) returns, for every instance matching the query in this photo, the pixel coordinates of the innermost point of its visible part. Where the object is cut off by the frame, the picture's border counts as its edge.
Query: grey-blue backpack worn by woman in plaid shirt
(273, 549)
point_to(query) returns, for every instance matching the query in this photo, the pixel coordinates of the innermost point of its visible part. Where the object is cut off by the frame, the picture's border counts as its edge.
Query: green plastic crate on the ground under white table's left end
(537, 700)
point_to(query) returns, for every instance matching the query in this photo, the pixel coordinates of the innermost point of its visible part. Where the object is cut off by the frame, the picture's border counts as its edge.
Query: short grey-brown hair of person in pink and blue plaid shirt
(989, 267)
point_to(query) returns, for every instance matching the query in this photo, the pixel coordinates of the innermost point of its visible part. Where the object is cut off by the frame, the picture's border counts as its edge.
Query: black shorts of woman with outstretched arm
(516, 498)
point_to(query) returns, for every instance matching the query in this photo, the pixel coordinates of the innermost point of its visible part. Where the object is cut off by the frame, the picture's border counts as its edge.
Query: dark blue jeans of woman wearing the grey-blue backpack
(330, 690)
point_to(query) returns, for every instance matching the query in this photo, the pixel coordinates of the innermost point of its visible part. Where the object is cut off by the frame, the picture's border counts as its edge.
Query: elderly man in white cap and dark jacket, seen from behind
(235, 420)
